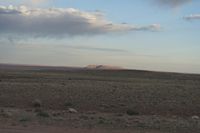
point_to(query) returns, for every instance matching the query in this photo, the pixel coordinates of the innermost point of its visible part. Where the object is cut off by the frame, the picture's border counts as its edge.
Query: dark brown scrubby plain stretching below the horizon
(105, 101)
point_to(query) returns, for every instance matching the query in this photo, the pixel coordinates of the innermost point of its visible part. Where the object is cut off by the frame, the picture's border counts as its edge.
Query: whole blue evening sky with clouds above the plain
(159, 35)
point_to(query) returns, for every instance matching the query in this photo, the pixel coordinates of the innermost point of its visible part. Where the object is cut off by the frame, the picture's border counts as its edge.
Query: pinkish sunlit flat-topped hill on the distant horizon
(103, 67)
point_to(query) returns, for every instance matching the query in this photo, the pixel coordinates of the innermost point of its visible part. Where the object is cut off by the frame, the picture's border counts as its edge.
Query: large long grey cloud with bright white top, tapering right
(58, 22)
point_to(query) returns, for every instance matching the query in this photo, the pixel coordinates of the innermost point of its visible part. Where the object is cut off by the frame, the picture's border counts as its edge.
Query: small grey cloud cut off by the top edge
(172, 3)
